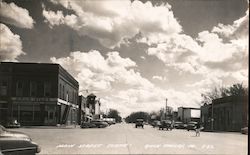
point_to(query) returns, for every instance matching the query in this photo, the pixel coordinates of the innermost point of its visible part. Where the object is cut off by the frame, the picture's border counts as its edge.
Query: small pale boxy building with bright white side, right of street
(187, 114)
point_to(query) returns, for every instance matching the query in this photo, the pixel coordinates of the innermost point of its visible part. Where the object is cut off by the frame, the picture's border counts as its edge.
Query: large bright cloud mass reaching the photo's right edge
(224, 50)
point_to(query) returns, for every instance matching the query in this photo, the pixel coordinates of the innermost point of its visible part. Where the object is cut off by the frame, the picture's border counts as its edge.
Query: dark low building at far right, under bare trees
(225, 114)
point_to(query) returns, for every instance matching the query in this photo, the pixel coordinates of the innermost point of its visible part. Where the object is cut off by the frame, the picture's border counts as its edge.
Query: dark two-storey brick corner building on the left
(37, 94)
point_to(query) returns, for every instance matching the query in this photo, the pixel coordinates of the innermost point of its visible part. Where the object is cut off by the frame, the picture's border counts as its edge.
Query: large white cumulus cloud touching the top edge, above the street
(111, 22)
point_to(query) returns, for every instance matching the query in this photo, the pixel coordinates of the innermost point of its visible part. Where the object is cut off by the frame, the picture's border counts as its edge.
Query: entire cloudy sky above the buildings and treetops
(133, 54)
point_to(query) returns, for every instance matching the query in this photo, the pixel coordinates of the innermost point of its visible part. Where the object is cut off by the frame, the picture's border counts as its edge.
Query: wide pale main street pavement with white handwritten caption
(126, 139)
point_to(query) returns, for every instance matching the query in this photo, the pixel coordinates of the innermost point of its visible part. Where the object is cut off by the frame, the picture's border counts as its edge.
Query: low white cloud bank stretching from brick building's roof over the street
(128, 90)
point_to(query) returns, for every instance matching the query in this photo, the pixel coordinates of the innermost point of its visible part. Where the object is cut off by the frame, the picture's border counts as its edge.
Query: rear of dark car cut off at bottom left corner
(13, 143)
